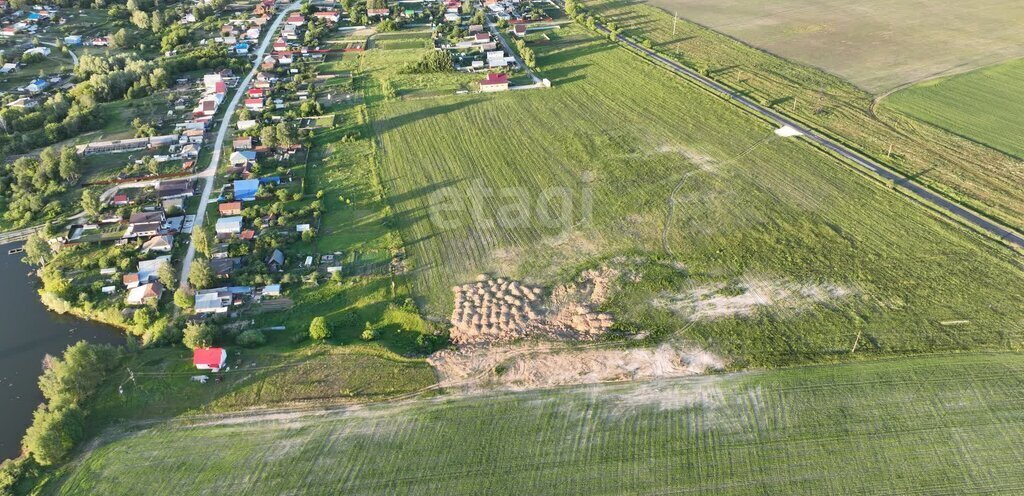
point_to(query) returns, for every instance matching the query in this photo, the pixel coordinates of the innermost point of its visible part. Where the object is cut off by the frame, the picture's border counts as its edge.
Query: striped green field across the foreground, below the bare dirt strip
(945, 425)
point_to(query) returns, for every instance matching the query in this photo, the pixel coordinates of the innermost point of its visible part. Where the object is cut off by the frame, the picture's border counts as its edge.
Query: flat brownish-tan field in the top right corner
(877, 45)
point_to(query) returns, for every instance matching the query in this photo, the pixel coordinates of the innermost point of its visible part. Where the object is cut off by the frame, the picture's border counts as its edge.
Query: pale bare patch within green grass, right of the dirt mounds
(746, 298)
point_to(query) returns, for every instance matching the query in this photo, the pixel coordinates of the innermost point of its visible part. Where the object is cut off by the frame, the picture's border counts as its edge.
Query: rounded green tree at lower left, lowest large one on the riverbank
(53, 434)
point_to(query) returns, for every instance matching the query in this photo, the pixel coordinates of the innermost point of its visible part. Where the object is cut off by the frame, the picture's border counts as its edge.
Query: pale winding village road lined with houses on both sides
(211, 171)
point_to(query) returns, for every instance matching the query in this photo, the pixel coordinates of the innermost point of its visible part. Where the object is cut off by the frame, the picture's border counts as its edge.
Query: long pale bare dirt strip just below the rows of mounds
(535, 365)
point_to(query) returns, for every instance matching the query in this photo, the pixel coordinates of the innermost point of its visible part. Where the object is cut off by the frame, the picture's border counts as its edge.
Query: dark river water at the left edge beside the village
(29, 333)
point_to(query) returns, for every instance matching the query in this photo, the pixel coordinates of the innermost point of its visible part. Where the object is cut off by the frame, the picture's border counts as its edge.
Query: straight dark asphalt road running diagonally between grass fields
(953, 210)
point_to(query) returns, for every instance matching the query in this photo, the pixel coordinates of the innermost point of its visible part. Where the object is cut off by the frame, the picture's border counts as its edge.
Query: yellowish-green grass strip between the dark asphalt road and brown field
(975, 176)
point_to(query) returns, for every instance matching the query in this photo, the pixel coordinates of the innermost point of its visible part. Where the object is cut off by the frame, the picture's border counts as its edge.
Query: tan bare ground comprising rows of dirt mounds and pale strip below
(492, 312)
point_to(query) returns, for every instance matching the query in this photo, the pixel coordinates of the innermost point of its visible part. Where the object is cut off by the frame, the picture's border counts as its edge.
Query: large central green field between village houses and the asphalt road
(748, 208)
